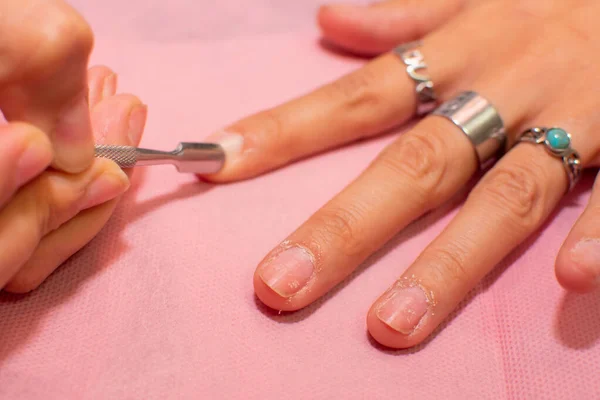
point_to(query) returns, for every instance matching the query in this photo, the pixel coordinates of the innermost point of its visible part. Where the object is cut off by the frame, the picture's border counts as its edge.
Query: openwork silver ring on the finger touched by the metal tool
(415, 64)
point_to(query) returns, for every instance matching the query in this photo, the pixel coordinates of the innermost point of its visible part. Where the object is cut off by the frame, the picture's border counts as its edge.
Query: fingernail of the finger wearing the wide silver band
(289, 271)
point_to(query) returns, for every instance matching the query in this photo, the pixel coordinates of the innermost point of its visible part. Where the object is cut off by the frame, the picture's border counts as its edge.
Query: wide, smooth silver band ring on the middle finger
(480, 121)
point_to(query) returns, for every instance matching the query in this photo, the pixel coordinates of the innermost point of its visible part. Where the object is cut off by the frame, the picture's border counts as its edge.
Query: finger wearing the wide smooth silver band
(417, 173)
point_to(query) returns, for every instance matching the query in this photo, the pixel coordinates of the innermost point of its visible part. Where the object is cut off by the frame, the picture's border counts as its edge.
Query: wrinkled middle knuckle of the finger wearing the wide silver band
(419, 157)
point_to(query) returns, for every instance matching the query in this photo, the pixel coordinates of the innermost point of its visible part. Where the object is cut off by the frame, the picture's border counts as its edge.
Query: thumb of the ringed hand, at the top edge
(377, 28)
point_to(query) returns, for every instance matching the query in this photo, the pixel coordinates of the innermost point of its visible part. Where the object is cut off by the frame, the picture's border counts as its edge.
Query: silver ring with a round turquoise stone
(558, 143)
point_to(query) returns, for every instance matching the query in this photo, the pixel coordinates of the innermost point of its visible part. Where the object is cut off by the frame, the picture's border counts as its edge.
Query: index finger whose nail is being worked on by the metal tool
(361, 104)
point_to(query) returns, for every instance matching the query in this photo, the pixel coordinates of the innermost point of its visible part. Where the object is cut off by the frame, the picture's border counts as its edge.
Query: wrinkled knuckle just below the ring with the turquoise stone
(516, 189)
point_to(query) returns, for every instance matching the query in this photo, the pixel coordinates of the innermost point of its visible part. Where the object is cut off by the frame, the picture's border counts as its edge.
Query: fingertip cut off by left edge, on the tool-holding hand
(26, 152)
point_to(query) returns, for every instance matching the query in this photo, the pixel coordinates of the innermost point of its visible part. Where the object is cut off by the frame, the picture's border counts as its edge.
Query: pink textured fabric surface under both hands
(160, 305)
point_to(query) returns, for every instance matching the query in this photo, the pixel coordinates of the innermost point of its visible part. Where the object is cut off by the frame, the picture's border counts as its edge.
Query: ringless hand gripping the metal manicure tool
(56, 109)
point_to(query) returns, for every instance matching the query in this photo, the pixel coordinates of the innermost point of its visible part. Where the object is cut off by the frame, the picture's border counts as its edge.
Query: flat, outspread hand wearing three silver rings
(535, 60)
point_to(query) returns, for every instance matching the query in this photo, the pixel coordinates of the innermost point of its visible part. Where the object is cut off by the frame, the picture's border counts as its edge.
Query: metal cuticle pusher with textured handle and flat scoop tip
(194, 158)
